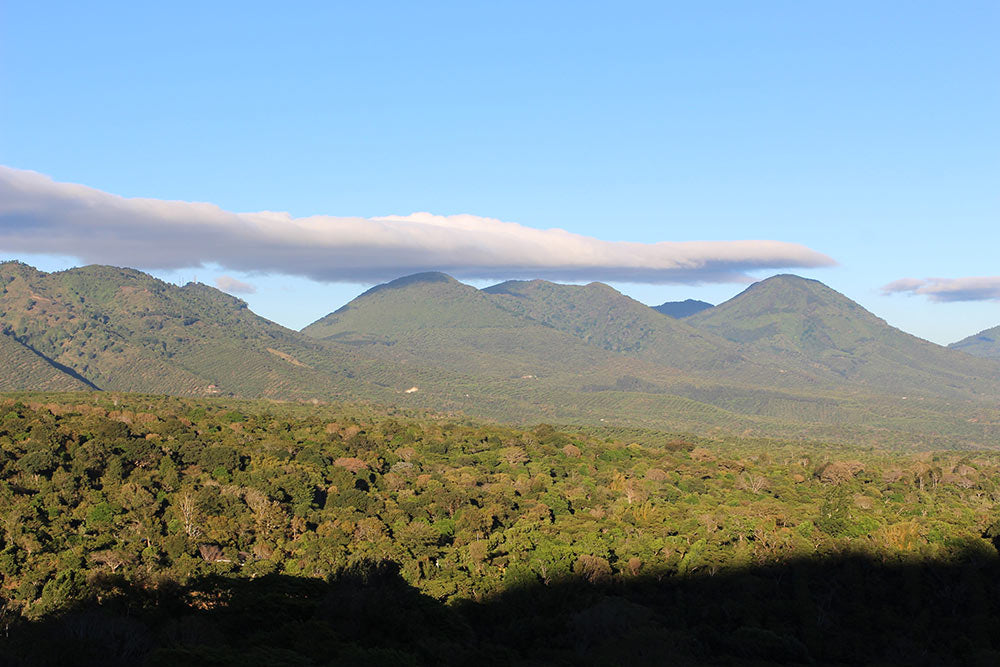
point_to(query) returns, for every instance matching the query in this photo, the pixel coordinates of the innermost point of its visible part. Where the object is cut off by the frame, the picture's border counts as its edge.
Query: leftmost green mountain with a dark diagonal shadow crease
(121, 329)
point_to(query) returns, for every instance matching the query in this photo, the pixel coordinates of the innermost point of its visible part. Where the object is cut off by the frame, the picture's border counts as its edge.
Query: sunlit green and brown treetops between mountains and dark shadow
(155, 493)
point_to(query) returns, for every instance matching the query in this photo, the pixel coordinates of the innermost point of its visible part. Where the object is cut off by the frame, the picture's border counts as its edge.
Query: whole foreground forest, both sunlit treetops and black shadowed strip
(146, 528)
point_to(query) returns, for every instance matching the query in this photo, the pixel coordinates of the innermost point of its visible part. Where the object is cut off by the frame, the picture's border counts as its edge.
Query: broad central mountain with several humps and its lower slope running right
(588, 354)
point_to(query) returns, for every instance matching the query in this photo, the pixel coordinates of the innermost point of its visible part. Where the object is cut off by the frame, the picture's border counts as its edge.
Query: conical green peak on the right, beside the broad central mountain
(815, 328)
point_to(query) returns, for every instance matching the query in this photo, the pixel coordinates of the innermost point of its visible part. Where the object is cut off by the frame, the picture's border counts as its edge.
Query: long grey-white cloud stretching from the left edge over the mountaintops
(39, 215)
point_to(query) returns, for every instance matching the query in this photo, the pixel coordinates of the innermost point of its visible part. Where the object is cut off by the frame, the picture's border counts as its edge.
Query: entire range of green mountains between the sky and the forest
(788, 357)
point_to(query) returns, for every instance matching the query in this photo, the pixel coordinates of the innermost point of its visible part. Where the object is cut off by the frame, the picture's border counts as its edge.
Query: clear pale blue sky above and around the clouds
(865, 131)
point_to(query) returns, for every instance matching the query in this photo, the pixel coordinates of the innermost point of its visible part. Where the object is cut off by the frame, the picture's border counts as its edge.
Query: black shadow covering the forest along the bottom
(847, 610)
